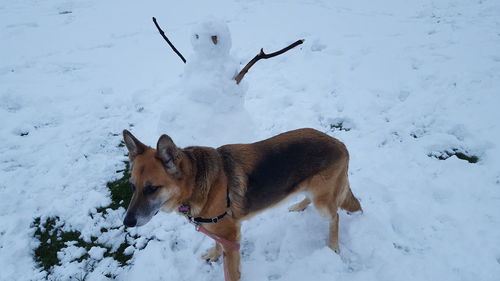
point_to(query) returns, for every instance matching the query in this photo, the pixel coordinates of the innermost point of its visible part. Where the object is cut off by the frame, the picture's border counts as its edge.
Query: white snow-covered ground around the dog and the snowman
(407, 81)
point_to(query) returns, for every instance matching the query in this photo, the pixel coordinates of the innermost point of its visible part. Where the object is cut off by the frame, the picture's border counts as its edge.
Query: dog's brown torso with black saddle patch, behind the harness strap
(266, 172)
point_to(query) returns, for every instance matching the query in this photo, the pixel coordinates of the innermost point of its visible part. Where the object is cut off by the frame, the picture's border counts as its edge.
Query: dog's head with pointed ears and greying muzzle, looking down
(157, 179)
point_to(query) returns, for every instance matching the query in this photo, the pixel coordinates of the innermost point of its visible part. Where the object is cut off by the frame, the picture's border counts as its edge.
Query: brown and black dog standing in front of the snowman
(256, 176)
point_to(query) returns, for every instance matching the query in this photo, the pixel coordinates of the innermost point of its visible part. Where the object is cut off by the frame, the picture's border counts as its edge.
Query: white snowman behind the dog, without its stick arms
(209, 109)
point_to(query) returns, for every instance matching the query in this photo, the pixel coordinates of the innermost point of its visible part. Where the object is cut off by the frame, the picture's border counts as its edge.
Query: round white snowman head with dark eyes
(211, 38)
